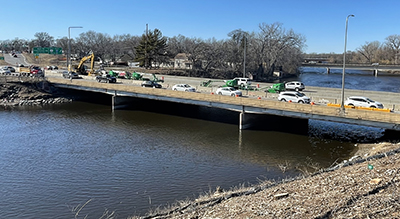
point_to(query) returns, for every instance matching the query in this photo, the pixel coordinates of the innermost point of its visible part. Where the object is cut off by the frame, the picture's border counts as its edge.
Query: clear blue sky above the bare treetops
(321, 22)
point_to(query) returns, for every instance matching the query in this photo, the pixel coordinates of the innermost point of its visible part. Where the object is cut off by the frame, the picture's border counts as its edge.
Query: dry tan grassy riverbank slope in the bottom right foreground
(367, 187)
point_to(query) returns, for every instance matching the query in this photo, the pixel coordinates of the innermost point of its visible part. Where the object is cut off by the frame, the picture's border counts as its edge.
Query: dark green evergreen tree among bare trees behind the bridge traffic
(151, 50)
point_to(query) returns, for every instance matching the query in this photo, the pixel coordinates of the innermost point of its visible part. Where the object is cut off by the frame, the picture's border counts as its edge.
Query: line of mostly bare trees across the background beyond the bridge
(259, 53)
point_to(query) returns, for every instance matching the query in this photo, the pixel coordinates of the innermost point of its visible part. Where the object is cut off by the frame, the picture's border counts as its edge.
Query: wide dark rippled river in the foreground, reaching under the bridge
(54, 159)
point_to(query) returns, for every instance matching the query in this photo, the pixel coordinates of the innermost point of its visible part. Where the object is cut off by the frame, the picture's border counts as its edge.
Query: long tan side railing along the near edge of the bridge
(299, 110)
